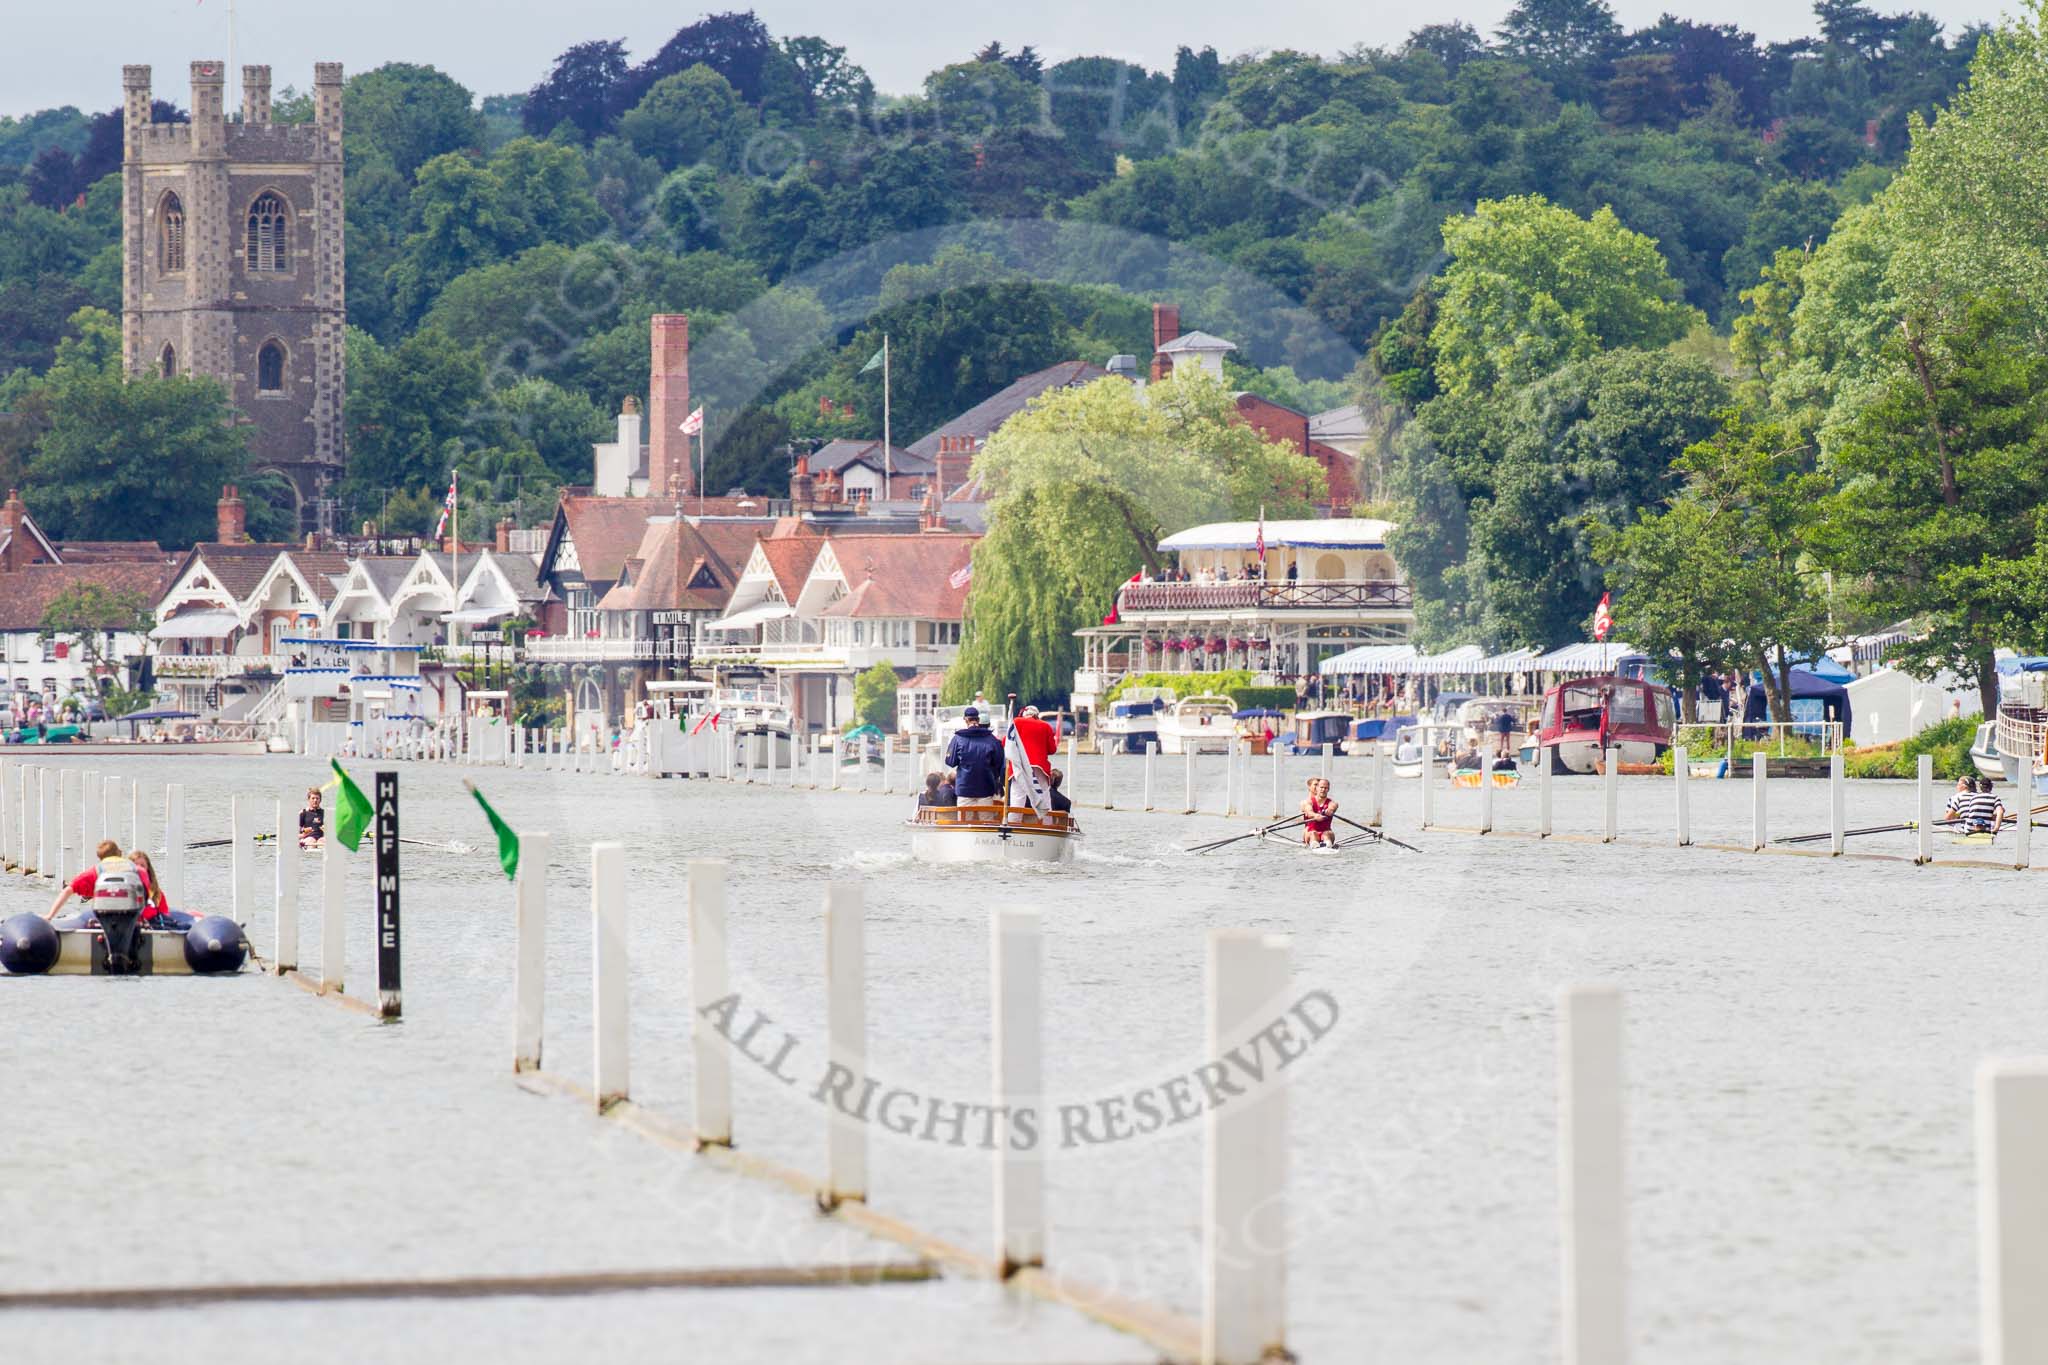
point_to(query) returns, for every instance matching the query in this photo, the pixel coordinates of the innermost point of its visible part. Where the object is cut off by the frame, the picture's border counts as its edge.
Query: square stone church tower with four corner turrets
(232, 263)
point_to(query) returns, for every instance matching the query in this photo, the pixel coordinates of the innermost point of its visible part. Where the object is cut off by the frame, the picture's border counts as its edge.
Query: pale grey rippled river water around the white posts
(1801, 1043)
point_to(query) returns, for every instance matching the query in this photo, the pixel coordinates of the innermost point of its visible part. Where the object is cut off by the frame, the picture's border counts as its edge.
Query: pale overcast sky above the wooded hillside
(73, 54)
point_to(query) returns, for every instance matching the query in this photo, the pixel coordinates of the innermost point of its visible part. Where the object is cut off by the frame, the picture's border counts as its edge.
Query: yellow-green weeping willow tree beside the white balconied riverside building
(1082, 488)
